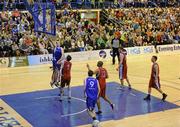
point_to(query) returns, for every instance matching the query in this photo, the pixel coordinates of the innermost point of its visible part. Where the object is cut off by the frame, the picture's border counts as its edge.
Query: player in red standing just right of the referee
(122, 67)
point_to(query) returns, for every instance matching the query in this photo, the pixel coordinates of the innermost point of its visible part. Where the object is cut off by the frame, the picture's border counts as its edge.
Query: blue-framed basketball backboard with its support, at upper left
(44, 15)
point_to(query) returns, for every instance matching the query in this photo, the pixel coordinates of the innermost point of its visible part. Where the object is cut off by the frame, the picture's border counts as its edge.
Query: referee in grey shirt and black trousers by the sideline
(115, 49)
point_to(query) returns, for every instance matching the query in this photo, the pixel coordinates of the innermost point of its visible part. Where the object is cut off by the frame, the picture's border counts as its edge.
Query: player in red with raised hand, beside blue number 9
(101, 75)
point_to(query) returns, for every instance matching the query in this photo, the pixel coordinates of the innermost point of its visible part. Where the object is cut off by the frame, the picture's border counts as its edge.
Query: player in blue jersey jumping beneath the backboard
(57, 61)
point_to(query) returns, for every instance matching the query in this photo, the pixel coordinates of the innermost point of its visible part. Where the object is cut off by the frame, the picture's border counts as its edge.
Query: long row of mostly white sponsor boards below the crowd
(86, 55)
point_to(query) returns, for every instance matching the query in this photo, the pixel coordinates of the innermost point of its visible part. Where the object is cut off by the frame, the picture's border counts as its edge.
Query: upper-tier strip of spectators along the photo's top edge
(86, 4)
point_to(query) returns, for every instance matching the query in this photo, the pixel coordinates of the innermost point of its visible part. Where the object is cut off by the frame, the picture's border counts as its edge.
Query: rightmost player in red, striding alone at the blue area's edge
(154, 80)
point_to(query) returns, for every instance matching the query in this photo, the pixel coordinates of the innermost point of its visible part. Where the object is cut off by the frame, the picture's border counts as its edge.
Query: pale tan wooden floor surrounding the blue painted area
(26, 79)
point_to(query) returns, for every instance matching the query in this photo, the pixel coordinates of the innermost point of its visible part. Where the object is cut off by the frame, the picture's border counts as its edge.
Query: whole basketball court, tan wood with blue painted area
(28, 100)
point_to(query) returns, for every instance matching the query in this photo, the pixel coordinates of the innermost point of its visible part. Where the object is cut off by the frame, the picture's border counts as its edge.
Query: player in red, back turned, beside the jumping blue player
(66, 76)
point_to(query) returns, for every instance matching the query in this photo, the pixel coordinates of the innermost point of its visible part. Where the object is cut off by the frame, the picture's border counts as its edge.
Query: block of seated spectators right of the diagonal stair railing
(147, 26)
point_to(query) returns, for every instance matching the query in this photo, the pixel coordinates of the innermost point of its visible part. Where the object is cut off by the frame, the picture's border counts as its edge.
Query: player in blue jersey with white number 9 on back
(91, 92)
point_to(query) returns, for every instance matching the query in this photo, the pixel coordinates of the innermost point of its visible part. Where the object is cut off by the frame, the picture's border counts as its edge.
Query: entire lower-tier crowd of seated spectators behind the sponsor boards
(139, 27)
